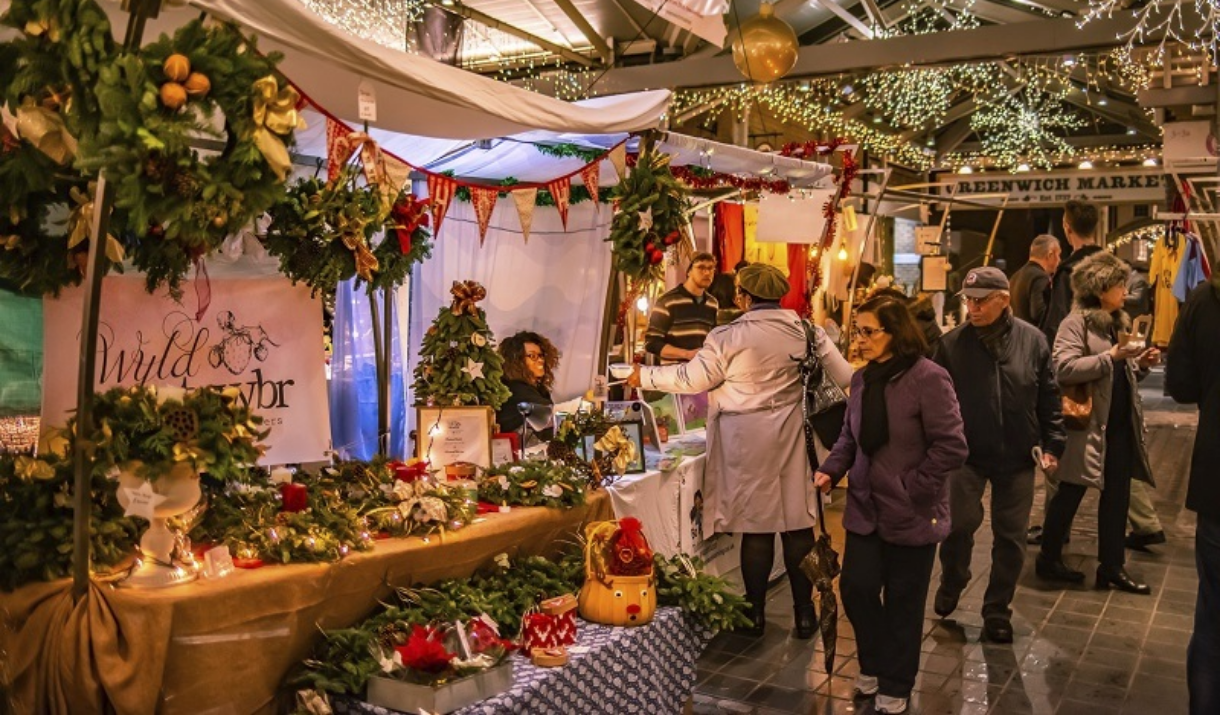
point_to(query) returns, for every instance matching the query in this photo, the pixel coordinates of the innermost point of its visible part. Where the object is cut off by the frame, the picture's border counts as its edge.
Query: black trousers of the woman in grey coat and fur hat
(1112, 512)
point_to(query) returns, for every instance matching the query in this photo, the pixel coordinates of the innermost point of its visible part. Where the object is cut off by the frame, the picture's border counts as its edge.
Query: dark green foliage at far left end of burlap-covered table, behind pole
(36, 522)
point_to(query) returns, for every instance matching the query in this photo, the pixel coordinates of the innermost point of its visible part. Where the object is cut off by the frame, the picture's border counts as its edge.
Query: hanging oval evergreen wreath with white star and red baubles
(652, 217)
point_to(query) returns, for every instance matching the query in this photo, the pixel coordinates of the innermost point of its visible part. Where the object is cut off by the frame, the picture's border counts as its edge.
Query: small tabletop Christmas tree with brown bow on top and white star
(458, 363)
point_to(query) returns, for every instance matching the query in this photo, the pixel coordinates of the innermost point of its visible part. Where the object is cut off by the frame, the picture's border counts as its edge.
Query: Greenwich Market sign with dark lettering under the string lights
(1042, 190)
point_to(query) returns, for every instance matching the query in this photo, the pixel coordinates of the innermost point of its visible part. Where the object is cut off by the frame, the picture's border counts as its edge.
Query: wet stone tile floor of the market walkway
(1078, 651)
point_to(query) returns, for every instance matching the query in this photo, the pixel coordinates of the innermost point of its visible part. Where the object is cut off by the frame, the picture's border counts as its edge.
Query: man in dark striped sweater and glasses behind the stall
(683, 318)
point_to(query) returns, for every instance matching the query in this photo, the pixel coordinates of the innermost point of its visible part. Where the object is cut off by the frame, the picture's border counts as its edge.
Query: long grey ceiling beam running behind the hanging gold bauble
(984, 43)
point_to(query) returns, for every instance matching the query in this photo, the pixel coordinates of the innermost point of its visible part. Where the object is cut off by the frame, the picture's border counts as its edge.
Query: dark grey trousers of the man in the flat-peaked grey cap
(1012, 497)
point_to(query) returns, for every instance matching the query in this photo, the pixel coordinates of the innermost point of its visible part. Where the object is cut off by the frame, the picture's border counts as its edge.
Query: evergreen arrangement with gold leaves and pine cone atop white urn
(148, 431)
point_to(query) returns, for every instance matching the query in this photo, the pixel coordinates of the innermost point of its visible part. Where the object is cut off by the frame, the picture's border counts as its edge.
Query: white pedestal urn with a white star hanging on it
(157, 568)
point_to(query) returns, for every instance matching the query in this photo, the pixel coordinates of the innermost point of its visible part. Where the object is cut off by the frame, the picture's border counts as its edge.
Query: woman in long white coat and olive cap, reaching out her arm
(758, 481)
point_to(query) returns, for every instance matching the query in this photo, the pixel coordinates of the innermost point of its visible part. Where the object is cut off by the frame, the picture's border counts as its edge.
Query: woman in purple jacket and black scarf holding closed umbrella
(901, 440)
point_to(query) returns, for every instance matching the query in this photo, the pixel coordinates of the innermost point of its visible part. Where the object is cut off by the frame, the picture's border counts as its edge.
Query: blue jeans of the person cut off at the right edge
(1204, 656)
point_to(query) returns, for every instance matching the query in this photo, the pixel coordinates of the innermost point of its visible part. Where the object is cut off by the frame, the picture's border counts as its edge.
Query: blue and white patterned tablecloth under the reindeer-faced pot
(648, 670)
